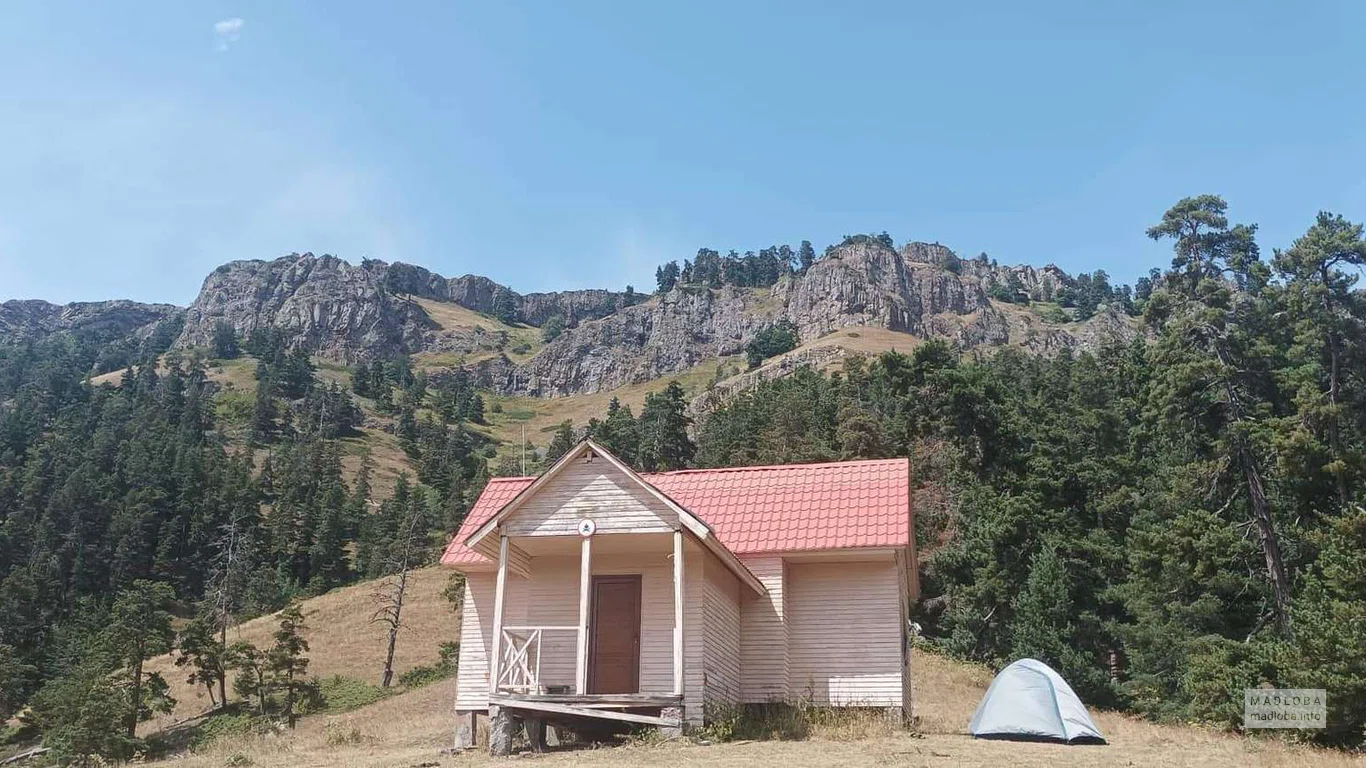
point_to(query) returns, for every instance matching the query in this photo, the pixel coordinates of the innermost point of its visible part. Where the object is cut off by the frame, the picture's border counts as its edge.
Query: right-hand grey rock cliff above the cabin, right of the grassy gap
(864, 284)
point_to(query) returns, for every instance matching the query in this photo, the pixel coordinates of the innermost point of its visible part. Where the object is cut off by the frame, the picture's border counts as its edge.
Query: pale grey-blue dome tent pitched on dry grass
(1029, 702)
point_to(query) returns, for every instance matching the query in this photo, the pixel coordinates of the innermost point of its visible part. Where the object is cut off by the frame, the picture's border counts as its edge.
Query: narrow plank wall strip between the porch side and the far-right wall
(764, 658)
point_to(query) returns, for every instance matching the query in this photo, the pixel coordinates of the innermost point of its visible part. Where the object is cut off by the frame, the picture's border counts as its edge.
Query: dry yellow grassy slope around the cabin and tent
(413, 728)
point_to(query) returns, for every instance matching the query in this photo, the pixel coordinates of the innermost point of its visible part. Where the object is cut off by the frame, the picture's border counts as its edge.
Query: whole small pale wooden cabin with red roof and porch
(598, 591)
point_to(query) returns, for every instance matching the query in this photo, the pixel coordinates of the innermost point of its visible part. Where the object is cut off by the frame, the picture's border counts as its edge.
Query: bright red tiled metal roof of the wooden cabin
(764, 509)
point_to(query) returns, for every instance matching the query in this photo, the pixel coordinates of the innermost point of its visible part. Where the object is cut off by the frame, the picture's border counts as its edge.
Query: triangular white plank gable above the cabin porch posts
(598, 491)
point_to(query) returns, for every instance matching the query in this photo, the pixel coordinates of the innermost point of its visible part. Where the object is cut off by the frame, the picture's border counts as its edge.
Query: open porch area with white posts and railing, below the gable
(591, 628)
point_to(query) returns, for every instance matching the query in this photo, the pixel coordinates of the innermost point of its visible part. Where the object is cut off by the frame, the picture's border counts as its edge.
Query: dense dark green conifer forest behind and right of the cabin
(1182, 513)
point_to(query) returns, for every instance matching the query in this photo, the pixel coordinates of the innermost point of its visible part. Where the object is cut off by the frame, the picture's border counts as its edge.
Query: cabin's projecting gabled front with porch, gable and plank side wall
(596, 598)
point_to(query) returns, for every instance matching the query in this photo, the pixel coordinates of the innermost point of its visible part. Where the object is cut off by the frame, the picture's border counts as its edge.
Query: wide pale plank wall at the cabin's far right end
(844, 633)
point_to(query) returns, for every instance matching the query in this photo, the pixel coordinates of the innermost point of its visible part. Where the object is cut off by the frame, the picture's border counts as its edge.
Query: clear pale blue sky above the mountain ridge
(579, 144)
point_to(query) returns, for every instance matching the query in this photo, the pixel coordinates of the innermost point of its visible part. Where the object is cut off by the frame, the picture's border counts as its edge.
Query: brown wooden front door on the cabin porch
(615, 636)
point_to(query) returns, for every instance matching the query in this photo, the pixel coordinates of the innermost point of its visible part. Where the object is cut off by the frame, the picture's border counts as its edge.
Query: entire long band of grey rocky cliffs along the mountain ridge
(375, 310)
